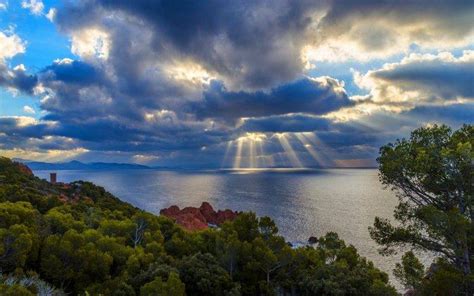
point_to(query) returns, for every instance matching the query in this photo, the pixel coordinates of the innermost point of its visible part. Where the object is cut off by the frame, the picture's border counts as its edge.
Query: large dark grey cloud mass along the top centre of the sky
(251, 43)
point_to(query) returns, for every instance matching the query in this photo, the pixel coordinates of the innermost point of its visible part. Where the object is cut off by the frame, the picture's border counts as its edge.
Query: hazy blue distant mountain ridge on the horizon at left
(77, 165)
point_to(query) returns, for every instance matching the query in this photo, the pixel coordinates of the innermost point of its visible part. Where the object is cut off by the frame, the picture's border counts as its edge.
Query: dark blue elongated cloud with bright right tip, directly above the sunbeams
(314, 96)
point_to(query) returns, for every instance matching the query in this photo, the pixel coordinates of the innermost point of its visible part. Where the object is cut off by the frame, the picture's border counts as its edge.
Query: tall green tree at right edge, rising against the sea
(433, 176)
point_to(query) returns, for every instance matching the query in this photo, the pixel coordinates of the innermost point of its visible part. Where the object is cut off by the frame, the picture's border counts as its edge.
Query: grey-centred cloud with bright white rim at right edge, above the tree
(422, 79)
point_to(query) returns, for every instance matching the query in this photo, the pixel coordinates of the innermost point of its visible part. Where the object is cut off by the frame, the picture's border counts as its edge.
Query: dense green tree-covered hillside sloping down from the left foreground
(79, 239)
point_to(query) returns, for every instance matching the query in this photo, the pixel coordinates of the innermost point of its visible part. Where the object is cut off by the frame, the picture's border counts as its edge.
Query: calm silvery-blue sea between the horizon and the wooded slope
(302, 202)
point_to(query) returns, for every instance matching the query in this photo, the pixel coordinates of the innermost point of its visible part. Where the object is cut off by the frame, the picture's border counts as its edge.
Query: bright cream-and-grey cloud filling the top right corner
(365, 30)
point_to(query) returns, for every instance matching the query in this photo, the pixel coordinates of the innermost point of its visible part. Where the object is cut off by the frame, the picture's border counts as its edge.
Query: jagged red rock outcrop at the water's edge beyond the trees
(192, 218)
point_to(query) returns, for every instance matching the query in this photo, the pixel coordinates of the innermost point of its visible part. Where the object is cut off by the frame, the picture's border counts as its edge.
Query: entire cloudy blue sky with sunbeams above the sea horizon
(229, 84)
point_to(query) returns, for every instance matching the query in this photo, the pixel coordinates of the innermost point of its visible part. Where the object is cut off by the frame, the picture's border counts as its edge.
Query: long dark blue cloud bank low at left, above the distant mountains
(103, 134)
